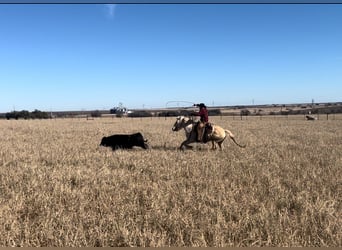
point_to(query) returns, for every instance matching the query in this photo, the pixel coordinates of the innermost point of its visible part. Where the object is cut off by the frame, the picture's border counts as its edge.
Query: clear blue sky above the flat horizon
(93, 56)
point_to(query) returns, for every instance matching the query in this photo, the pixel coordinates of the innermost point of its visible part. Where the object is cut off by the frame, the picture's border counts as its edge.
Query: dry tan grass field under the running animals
(59, 188)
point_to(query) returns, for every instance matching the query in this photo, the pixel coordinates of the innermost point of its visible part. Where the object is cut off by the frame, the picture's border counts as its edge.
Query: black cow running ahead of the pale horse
(124, 141)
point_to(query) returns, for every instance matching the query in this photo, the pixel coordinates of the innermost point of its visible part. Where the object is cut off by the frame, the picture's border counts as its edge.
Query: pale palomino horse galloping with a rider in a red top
(217, 135)
